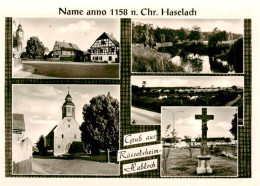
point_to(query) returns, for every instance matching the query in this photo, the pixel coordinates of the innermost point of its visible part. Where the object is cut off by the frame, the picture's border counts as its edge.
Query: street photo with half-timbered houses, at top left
(65, 48)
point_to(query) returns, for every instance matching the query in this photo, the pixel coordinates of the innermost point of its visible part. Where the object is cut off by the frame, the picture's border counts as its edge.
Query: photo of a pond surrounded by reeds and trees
(187, 46)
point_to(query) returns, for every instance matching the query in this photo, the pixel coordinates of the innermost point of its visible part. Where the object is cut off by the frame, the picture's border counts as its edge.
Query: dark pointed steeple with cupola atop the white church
(68, 108)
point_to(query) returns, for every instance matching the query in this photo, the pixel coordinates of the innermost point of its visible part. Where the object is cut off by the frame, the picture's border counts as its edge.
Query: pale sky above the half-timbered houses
(82, 32)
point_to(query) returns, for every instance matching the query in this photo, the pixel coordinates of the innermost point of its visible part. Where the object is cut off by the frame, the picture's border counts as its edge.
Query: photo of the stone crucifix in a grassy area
(199, 141)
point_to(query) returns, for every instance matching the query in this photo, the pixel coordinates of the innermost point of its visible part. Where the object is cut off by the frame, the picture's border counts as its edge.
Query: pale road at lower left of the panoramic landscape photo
(145, 117)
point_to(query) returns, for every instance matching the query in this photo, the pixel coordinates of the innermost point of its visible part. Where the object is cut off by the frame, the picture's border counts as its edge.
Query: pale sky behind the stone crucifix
(185, 123)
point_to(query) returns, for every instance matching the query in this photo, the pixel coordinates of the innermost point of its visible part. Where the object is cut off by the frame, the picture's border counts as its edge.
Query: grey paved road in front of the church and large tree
(75, 166)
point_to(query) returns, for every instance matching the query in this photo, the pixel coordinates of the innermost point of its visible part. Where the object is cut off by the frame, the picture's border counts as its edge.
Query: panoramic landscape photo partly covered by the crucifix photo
(150, 93)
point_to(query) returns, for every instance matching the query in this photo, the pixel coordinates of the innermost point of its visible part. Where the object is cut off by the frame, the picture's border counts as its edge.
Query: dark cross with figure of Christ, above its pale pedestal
(205, 118)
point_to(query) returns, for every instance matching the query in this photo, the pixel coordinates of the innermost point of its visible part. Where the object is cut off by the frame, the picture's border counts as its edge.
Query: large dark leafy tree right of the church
(101, 124)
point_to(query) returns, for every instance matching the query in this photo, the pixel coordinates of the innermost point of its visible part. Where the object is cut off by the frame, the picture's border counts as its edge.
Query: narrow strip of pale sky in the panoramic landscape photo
(179, 81)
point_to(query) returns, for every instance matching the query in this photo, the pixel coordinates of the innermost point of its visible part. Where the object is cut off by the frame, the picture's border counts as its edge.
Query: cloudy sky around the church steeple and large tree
(41, 104)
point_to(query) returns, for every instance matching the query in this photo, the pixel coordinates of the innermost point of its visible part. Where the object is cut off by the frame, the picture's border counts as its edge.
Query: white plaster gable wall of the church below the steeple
(68, 133)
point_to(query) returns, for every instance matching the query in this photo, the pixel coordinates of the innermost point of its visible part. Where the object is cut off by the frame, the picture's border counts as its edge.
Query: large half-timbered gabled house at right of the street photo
(105, 48)
